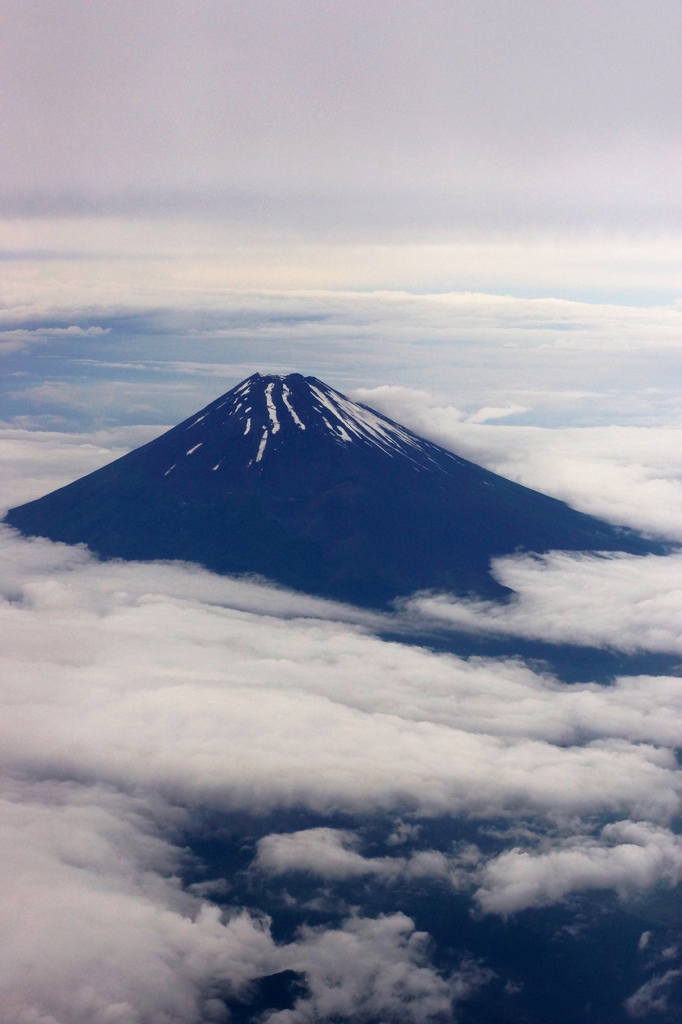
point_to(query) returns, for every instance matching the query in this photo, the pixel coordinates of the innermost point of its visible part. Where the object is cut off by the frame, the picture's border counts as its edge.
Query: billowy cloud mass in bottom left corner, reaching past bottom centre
(97, 928)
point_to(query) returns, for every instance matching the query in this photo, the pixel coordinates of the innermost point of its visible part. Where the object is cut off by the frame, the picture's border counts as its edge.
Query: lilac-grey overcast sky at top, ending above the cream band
(491, 114)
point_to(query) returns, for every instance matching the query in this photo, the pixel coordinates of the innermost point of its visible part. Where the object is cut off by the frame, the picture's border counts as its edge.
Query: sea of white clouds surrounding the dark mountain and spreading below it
(136, 697)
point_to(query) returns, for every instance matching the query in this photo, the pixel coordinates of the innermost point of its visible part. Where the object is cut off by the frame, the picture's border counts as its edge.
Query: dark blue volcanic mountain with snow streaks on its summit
(285, 478)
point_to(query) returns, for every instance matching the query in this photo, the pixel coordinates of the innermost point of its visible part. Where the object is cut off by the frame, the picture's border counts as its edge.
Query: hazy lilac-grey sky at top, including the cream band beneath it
(209, 129)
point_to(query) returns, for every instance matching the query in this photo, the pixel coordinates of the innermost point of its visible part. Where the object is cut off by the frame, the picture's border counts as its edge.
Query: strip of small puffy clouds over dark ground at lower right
(627, 858)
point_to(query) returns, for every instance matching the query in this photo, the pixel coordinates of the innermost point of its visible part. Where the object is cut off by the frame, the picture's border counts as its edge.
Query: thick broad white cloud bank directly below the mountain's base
(255, 709)
